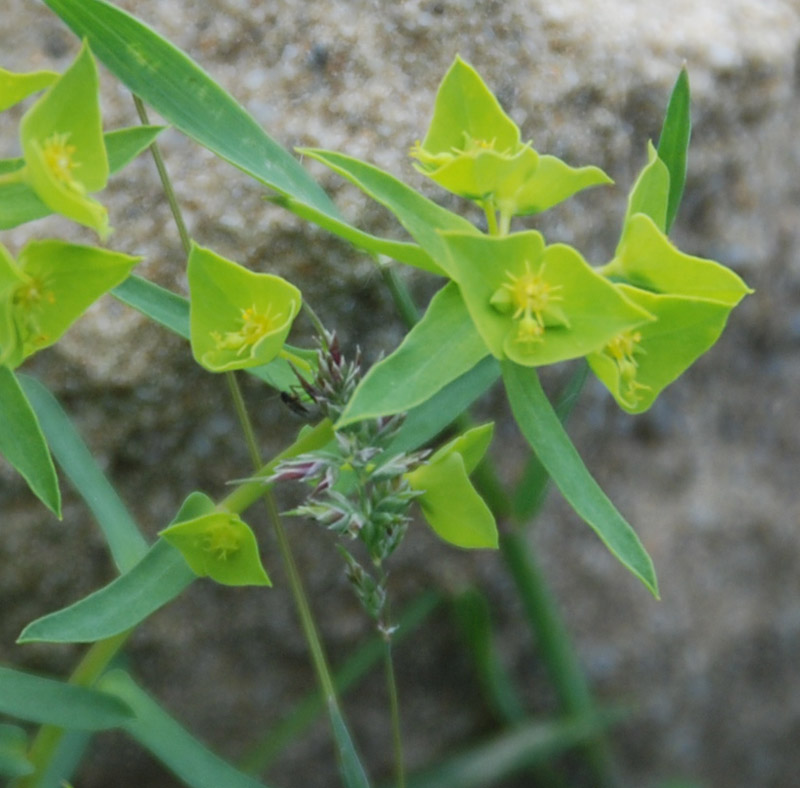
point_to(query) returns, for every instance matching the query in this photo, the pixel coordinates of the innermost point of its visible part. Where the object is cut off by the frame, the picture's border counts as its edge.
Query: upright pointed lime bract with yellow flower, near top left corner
(62, 143)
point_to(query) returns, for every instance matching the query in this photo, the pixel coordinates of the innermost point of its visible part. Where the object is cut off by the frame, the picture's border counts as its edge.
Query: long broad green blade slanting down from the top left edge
(184, 95)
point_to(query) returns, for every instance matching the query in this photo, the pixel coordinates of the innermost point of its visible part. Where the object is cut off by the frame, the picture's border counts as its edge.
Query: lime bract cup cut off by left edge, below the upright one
(47, 289)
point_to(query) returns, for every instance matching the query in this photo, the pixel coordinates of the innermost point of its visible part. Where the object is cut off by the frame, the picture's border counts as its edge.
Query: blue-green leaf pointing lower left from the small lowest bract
(125, 602)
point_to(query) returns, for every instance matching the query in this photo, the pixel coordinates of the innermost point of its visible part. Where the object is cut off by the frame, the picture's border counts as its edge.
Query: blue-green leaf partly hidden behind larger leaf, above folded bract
(426, 421)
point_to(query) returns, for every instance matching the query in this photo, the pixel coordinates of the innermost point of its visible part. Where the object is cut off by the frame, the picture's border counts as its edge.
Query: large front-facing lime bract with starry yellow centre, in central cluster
(537, 304)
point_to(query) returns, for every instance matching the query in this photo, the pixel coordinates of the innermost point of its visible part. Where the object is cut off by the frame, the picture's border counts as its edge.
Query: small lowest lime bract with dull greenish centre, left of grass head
(219, 545)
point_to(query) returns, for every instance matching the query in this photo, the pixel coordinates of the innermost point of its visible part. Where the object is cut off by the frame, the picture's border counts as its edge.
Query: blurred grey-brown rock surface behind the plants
(708, 477)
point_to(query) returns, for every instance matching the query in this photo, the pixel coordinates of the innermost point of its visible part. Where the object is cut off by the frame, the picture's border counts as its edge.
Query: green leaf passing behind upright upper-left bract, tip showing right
(19, 202)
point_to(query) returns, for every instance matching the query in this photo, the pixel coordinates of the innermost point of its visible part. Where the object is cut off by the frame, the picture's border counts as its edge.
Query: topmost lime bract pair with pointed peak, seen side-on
(474, 149)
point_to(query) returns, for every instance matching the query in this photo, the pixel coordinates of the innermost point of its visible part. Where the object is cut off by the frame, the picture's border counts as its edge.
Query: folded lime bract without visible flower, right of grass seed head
(449, 502)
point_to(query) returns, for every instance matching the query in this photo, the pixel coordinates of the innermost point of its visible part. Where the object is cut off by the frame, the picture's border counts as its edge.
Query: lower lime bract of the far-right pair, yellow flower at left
(638, 364)
